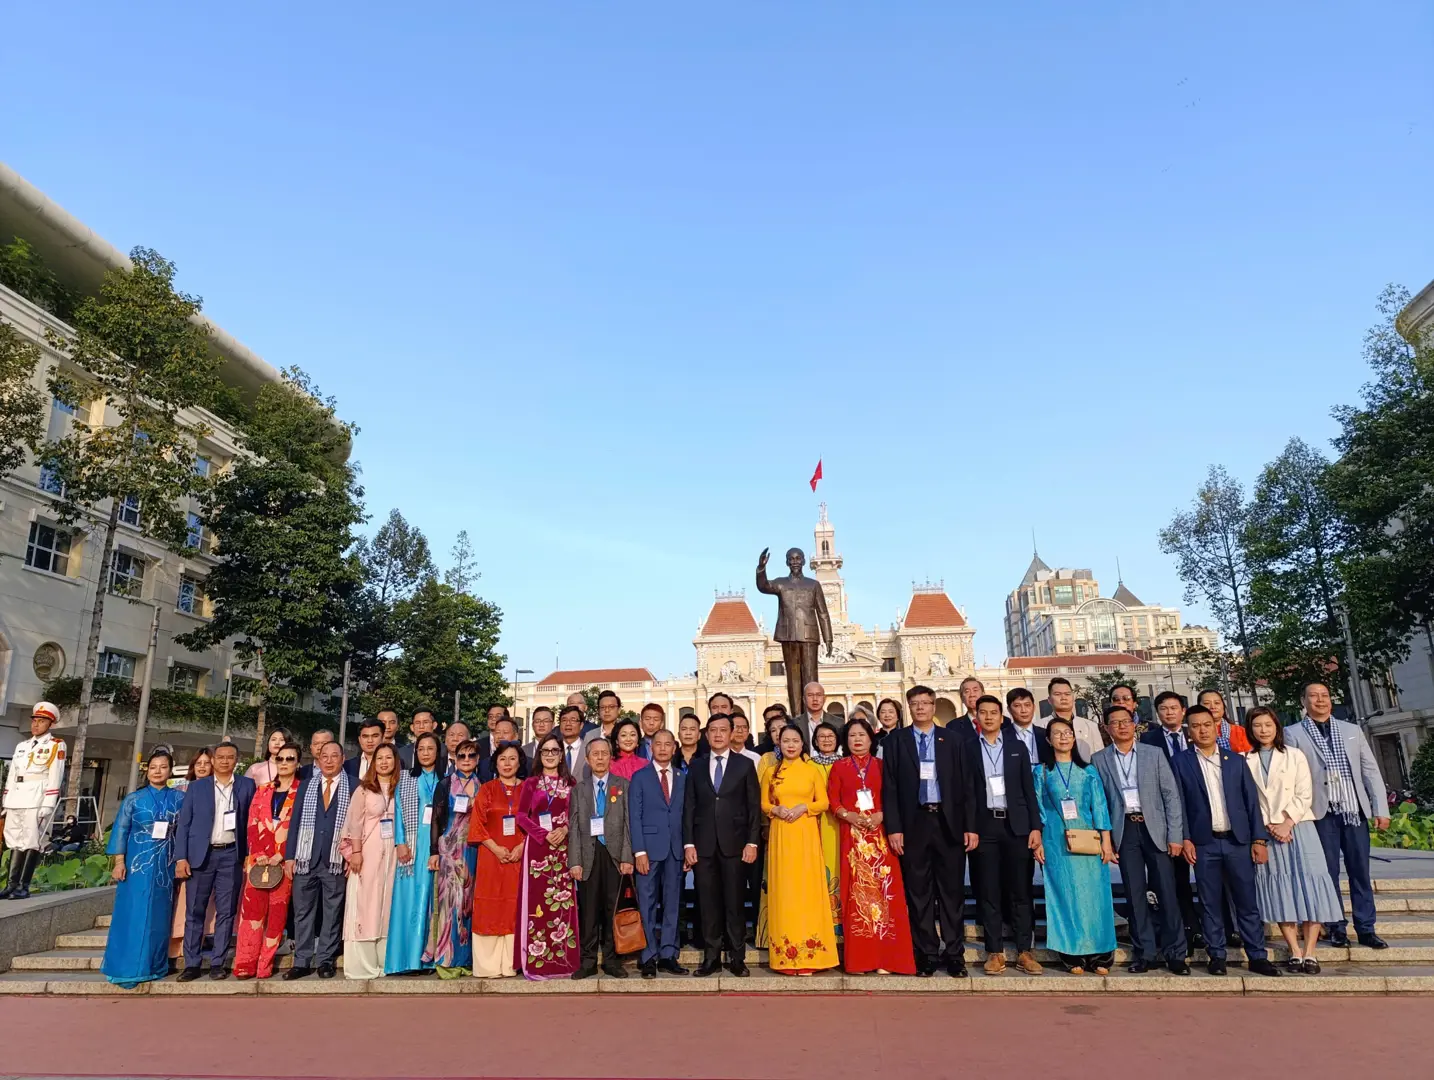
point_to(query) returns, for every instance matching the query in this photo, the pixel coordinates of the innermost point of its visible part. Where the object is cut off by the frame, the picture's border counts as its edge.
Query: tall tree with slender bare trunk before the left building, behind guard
(138, 356)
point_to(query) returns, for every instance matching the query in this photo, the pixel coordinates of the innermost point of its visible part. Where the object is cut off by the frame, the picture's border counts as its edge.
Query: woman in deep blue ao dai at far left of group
(143, 844)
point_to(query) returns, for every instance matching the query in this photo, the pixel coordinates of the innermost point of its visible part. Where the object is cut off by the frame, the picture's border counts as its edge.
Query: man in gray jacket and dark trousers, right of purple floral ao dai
(600, 854)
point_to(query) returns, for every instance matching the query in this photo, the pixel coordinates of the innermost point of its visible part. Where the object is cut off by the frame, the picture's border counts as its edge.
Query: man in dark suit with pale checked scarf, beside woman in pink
(313, 864)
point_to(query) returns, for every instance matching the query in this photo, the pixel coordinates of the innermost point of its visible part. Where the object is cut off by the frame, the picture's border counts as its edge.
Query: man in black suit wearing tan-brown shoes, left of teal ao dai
(1009, 823)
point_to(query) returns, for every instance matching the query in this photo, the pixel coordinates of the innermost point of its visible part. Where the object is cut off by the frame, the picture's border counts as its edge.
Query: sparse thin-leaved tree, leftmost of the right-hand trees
(1205, 541)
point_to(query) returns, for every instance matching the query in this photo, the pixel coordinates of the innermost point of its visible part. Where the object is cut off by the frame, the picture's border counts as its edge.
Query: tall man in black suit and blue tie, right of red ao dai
(929, 808)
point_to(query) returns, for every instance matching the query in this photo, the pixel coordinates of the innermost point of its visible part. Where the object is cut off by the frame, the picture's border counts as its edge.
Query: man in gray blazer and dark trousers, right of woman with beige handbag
(1148, 827)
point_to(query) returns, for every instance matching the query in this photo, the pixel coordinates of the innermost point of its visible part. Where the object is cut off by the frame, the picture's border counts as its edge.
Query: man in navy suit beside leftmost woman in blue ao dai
(212, 843)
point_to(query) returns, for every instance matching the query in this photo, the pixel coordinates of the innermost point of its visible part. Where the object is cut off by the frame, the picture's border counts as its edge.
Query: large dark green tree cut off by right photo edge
(1383, 485)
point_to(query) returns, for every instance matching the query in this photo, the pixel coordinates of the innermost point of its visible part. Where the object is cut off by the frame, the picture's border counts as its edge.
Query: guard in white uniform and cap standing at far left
(32, 791)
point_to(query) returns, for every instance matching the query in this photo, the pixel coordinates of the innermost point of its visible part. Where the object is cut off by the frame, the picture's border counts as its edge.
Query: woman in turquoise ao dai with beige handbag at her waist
(1081, 919)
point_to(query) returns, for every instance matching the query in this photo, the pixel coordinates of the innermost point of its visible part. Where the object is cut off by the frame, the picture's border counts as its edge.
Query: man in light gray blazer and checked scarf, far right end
(1349, 795)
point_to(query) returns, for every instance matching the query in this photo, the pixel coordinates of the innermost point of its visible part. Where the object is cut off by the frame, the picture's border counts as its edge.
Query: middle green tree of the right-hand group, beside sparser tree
(1291, 541)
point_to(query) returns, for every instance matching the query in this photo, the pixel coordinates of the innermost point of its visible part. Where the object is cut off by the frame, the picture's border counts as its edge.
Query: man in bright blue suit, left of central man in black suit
(656, 821)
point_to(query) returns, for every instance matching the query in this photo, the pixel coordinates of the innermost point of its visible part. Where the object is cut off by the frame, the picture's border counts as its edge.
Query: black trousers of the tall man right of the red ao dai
(934, 868)
